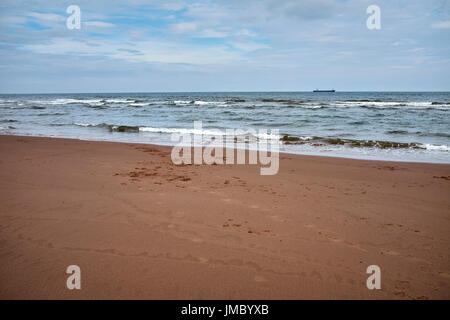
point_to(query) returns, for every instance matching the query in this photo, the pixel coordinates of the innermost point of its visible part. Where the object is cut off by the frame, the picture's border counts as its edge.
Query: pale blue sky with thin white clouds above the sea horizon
(224, 45)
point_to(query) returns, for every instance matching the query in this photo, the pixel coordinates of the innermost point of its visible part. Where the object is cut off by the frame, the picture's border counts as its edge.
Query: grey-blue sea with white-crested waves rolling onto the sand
(395, 126)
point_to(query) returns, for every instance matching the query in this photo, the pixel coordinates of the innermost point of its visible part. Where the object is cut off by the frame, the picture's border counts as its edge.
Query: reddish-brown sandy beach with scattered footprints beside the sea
(140, 227)
